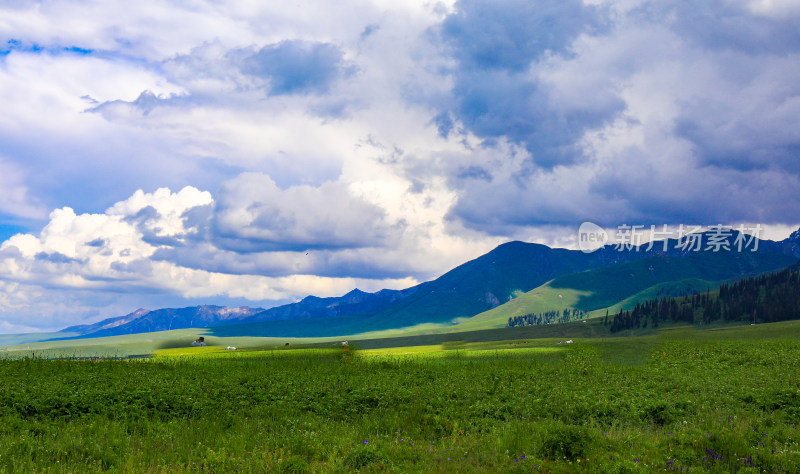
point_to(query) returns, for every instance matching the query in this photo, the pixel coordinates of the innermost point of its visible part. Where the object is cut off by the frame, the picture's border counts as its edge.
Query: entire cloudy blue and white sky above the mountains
(157, 154)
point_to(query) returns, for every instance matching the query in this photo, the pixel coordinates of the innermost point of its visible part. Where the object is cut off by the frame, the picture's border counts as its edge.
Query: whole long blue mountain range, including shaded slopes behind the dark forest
(489, 283)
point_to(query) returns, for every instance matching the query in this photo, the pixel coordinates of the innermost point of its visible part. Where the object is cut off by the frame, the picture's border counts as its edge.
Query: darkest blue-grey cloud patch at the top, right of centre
(498, 47)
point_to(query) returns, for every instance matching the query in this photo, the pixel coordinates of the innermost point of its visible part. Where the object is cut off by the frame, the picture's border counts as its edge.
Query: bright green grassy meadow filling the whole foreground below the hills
(719, 399)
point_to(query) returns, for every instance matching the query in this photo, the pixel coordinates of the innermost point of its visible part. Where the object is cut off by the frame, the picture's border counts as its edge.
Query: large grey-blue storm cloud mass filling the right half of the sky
(669, 112)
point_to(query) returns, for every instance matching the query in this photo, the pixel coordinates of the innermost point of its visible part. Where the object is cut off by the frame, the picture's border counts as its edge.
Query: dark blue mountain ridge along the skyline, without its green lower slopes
(474, 287)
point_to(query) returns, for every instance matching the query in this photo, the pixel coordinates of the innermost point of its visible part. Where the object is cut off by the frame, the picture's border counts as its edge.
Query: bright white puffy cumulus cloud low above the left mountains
(114, 250)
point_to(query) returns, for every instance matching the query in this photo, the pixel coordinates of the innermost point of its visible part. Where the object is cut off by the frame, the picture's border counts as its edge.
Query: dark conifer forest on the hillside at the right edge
(762, 299)
